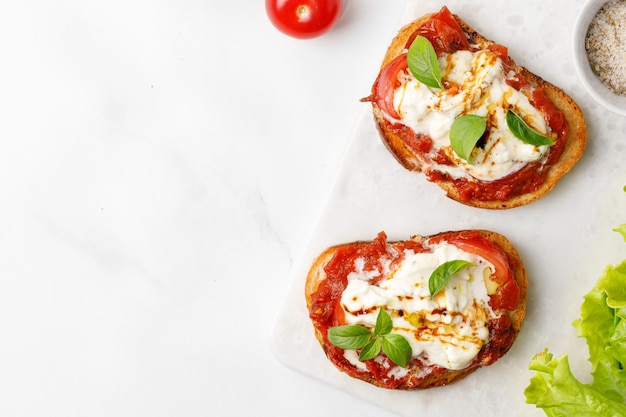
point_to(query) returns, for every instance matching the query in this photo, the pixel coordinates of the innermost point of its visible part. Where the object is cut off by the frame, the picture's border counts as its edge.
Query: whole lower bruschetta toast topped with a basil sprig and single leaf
(457, 299)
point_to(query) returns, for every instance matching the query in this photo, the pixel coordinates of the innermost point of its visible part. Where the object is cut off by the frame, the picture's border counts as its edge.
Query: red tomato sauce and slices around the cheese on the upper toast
(447, 36)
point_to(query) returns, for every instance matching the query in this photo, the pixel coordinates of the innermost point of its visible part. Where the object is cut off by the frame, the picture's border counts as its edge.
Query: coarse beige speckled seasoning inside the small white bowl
(606, 45)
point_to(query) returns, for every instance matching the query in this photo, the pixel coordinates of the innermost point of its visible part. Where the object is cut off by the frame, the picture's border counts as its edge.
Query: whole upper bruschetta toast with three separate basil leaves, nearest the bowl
(503, 167)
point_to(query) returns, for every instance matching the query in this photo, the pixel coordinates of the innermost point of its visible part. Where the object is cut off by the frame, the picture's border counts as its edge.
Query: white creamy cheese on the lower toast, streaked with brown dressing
(448, 329)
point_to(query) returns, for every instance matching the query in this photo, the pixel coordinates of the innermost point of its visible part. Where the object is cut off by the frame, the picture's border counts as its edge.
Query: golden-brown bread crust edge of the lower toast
(317, 275)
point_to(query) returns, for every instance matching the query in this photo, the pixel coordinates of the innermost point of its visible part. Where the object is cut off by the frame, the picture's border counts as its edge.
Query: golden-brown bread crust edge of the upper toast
(574, 147)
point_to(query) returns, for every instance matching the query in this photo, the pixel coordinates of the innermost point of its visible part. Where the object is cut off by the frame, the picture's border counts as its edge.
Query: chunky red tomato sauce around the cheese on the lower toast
(325, 310)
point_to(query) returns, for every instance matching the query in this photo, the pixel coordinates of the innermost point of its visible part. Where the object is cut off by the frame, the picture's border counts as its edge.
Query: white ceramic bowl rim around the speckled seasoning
(602, 94)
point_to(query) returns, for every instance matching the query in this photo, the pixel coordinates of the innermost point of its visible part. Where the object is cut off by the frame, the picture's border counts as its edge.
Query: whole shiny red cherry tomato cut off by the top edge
(303, 19)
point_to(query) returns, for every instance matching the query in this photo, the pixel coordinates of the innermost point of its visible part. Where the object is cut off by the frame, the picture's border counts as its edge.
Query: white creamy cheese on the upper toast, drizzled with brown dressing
(482, 90)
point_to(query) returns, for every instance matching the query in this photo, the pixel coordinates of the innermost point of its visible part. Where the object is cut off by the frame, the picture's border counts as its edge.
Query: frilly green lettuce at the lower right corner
(602, 323)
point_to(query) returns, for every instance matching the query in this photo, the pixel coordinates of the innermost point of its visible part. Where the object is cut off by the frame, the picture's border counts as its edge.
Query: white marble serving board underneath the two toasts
(565, 239)
